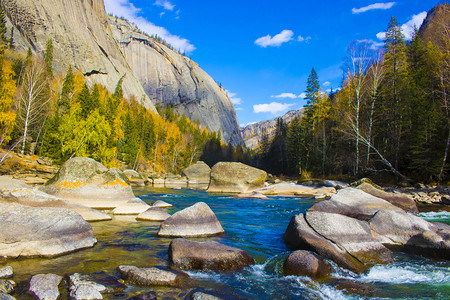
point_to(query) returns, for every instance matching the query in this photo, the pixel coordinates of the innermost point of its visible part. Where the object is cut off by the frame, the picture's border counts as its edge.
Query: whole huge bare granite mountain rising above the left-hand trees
(104, 50)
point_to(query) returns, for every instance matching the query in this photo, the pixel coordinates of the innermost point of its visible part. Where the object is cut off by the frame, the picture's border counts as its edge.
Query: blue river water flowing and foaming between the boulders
(257, 226)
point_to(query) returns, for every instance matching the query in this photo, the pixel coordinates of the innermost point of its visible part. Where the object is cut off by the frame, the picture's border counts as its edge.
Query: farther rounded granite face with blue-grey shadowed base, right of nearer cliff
(170, 78)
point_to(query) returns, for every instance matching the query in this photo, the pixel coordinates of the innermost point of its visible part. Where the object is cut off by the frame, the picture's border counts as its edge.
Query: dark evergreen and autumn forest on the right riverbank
(390, 119)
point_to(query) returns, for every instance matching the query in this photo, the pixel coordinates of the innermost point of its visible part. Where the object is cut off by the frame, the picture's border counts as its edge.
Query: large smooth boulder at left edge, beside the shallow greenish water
(39, 231)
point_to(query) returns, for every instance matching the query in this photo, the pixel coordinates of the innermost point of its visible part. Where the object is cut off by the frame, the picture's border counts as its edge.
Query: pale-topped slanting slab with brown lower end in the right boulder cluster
(350, 234)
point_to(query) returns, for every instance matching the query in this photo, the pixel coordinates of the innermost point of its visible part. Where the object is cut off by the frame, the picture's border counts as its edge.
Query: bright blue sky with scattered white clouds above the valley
(262, 51)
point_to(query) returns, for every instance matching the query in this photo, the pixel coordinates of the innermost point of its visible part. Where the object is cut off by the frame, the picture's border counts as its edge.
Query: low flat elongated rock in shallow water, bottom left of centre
(159, 276)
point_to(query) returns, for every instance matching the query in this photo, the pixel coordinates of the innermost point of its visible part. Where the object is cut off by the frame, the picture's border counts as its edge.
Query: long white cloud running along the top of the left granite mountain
(126, 9)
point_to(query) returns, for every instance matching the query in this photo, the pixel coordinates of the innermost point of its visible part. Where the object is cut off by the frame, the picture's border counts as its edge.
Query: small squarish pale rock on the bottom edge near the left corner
(45, 286)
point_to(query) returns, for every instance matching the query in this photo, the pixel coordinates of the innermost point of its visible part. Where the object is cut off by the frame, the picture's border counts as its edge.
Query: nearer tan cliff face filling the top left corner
(81, 37)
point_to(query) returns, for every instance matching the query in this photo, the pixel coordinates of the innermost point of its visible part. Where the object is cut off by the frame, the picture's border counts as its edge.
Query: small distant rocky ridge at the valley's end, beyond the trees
(252, 133)
